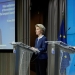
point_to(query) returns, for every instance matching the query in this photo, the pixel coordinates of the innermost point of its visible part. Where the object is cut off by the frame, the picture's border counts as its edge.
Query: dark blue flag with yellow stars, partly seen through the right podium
(66, 56)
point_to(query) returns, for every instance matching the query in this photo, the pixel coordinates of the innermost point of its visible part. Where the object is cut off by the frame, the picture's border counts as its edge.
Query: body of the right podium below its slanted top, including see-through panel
(59, 60)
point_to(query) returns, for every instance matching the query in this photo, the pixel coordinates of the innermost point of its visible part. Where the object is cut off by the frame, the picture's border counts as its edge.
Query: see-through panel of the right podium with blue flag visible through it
(64, 62)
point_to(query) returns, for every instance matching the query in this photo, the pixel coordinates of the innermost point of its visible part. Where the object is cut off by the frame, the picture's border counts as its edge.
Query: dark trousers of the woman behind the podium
(41, 66)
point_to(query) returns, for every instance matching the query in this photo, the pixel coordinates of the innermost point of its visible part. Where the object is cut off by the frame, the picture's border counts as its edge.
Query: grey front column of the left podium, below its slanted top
(23, 57)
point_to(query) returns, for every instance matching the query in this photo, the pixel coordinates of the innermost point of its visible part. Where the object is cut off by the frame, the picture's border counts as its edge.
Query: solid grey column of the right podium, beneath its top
(54, 60)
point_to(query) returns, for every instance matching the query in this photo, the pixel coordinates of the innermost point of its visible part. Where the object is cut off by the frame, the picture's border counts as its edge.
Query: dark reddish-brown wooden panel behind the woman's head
(36, 18)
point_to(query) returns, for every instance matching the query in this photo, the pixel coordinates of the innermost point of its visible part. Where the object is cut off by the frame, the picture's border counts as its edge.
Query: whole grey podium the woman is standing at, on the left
(23, 56)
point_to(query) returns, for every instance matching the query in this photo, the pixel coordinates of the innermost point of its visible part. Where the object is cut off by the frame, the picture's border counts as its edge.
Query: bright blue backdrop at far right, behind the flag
(71, 36)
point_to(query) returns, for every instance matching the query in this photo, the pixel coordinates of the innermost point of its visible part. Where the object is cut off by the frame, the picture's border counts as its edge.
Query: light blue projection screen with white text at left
(7, 23)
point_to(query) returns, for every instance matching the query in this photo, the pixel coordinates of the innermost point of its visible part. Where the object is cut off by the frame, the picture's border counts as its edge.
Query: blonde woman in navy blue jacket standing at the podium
(41, 61)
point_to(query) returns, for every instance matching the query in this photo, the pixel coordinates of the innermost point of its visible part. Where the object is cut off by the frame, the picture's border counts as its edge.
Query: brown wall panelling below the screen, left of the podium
(7, 63)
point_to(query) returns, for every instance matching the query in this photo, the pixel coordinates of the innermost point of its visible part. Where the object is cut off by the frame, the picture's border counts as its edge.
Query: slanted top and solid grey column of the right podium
(54, 58)
